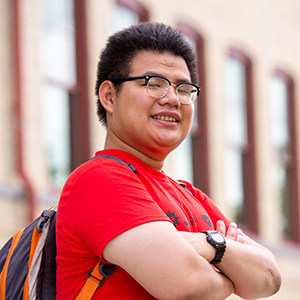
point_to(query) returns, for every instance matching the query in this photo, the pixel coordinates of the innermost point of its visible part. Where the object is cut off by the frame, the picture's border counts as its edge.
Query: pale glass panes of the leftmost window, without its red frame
(59, 71)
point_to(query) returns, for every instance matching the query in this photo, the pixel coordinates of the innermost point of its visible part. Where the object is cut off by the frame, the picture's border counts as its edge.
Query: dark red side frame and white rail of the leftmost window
(77, 91)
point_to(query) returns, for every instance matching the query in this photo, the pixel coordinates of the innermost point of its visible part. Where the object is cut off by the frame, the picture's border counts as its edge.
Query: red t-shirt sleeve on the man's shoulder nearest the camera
(105, 201)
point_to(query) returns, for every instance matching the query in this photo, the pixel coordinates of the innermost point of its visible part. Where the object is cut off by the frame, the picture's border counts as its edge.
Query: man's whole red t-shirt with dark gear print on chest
(103, 198)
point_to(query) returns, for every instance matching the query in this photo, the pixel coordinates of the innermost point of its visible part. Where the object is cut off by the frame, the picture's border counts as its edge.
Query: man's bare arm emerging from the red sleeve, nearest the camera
(167, 273)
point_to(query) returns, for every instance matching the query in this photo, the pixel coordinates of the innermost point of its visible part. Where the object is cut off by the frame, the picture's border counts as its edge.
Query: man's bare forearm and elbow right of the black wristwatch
(252, 269)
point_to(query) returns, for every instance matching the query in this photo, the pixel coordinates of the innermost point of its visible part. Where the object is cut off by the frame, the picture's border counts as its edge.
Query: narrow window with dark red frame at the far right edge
(284, 158)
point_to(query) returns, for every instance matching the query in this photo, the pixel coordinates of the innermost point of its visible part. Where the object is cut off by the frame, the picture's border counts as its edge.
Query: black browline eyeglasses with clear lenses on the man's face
(159, 86)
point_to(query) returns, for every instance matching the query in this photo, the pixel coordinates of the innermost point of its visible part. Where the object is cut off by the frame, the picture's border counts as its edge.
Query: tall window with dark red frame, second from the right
(240, 179)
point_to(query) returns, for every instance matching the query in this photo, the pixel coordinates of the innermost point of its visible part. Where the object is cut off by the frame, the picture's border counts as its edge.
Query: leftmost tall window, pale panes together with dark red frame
(64, 67)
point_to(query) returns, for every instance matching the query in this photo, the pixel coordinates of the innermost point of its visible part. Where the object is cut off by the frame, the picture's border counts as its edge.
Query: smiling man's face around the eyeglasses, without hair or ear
(138, 120)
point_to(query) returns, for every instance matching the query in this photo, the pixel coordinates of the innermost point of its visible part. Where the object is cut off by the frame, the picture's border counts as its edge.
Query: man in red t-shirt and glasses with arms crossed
(144, 222)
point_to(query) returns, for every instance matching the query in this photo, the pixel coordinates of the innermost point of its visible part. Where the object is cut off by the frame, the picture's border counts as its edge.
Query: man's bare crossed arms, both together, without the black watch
(175, 265)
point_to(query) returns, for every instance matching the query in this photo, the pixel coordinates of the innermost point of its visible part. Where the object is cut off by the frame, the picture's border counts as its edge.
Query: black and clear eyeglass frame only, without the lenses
(148, 77)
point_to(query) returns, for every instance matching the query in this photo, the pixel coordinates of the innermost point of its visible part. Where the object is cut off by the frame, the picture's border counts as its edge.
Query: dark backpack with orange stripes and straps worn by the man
(28, 265)
